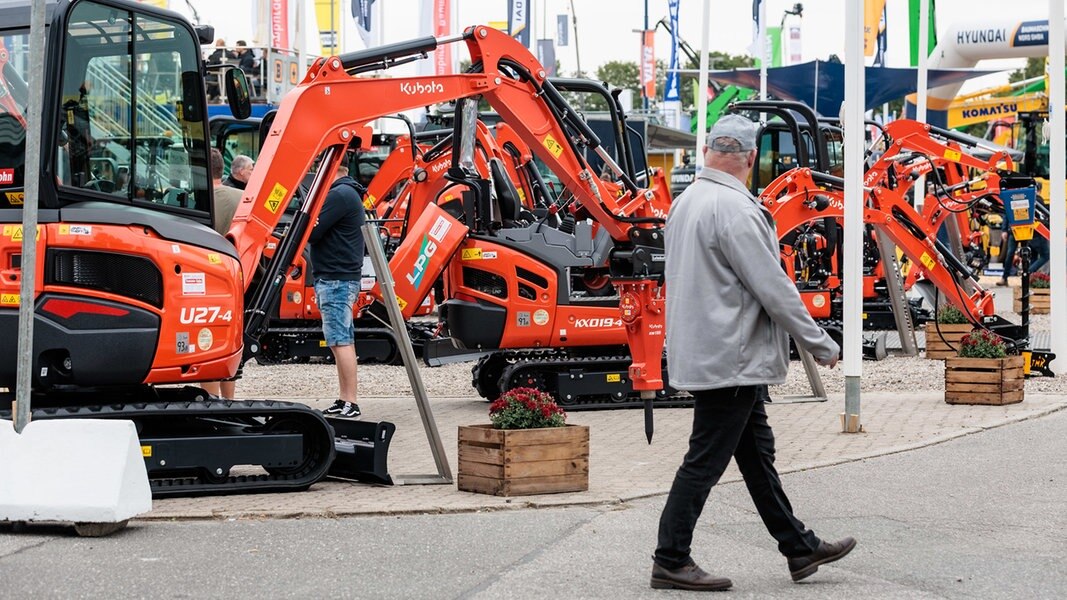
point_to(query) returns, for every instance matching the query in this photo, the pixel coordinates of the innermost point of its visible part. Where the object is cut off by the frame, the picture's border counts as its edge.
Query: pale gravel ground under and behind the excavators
(318, 381)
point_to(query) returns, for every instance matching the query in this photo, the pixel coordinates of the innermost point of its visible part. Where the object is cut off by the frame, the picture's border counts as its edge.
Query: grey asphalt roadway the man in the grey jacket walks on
(977, 517)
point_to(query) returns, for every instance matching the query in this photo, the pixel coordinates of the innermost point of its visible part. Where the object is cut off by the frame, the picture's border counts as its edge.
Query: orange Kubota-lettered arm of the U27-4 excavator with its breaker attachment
(331, 108)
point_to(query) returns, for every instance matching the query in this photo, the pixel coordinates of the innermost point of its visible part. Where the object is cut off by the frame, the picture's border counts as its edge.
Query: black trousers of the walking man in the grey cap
(729, 422)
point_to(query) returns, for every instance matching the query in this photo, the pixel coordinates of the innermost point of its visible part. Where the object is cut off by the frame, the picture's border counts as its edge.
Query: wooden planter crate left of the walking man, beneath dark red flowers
(524, 462)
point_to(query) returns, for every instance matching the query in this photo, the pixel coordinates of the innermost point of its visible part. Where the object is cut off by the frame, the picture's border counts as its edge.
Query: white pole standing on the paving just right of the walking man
(855, 100)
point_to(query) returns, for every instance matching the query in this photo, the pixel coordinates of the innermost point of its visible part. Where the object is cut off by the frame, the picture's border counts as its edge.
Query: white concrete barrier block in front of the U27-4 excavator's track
(76, 470)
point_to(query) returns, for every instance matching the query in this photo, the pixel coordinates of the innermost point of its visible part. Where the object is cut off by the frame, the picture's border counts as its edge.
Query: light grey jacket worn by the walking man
(729, 303)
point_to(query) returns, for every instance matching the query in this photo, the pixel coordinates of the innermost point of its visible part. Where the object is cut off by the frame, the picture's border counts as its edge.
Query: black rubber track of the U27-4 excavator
(170, 487)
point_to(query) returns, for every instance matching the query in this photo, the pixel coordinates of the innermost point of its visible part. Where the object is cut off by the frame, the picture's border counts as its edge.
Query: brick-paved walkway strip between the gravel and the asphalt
(623, 466)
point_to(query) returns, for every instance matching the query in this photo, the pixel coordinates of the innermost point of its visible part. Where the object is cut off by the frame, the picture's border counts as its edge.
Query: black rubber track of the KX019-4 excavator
(547, 364)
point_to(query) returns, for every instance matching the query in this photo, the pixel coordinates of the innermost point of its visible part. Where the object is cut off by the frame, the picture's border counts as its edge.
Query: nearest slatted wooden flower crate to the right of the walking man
(983, 382)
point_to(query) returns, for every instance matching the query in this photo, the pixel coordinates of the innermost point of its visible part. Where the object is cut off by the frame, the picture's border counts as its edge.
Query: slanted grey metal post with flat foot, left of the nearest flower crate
(374, 245)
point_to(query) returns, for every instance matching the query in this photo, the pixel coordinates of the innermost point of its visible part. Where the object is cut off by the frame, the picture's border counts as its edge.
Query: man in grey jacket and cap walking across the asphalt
(729, 309)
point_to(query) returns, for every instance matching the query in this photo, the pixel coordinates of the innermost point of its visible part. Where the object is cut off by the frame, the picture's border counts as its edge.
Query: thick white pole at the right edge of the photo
(1058, 223)
